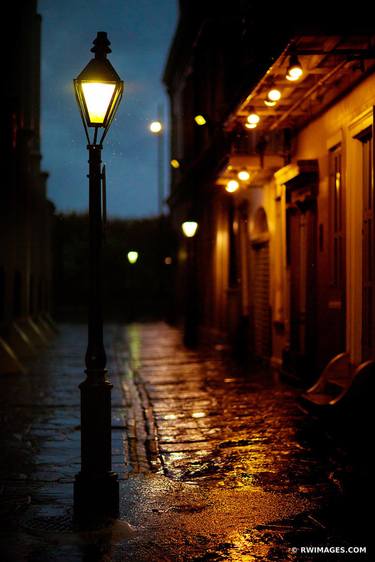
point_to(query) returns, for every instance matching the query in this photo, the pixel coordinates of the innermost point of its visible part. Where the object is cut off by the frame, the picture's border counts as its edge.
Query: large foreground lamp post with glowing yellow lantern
(98, 90)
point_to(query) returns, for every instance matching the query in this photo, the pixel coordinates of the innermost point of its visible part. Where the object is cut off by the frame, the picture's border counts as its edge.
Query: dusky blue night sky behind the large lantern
(140, 32)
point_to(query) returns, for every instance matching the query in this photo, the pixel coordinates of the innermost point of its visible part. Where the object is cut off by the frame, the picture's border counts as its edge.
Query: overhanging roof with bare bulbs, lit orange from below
(332, 65)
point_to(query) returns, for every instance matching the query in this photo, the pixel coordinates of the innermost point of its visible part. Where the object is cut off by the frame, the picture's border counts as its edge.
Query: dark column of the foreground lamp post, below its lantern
(96, 488)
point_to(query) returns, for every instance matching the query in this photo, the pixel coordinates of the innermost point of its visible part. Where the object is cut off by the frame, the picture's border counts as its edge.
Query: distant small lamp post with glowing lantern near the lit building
(189, 229)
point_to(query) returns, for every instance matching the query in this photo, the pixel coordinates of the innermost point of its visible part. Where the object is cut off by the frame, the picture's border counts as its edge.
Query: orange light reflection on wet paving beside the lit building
(229, 433)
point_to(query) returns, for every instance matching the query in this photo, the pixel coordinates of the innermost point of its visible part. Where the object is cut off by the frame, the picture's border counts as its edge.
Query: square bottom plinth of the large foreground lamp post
(96, 499)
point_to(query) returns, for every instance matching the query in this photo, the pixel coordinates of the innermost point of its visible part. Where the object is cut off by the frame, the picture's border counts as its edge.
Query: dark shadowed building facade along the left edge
(26, 214)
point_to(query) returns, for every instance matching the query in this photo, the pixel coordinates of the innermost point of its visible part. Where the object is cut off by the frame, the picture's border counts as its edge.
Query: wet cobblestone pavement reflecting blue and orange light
(215, 463)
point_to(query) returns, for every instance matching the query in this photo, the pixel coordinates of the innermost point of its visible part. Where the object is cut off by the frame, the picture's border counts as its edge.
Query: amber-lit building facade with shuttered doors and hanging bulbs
(285, 255)
